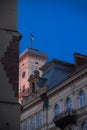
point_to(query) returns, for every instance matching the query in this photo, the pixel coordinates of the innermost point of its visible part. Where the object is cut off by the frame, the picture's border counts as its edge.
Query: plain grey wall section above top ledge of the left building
(8, 14)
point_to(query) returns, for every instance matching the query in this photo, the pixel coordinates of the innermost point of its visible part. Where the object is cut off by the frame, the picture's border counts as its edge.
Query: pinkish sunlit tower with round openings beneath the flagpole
(29, 61)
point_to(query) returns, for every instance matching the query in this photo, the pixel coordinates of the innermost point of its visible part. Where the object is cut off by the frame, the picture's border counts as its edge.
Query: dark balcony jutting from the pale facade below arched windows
(65, 118)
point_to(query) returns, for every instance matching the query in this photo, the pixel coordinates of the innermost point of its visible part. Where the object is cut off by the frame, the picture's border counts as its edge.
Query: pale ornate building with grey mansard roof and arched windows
(58, 99)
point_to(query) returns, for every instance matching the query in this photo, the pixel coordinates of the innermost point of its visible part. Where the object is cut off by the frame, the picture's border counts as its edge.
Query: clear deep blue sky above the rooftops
(59, 27)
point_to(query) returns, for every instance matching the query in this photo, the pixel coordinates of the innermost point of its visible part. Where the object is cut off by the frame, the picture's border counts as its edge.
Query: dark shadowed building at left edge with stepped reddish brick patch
(9, 66)
